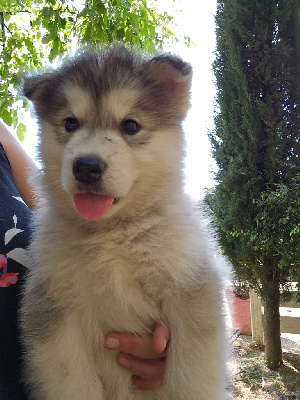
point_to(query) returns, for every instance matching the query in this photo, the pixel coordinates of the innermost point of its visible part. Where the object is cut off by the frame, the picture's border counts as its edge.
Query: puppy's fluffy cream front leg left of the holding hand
(61, 368)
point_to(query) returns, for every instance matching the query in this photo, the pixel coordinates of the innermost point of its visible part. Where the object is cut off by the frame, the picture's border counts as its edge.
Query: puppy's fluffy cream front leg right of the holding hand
(196, 362)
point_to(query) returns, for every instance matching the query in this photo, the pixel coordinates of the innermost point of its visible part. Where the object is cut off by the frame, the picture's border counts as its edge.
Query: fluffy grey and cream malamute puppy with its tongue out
(117, 247)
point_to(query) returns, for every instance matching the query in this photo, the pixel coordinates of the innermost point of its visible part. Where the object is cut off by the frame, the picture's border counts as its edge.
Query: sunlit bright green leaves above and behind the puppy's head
(34, 33)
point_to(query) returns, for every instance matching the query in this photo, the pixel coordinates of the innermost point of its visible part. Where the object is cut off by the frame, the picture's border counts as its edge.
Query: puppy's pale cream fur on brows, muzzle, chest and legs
(148, 259)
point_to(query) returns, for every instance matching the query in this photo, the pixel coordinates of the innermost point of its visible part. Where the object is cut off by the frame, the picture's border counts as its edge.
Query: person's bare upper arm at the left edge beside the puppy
(21, 165)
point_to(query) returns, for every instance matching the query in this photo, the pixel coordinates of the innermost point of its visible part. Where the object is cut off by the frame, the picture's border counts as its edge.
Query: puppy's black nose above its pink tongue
(87, 169)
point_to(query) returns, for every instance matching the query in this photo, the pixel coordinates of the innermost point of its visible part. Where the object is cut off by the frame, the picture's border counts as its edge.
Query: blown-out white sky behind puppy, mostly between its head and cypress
(195, 19)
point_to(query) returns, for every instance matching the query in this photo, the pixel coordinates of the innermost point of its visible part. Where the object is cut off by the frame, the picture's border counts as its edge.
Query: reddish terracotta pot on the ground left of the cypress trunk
(240, 313)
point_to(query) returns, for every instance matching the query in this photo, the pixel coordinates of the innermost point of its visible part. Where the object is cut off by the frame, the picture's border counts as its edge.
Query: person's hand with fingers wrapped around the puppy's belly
(144, 356)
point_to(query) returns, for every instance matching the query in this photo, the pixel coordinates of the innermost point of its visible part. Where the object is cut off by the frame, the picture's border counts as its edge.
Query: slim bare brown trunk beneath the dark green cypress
(273, 351)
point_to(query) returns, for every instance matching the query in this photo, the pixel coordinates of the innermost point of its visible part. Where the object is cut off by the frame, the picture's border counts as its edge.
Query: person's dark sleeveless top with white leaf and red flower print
(15, 219)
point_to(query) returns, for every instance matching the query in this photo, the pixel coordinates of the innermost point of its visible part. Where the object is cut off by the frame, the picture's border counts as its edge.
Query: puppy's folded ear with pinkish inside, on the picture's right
(175, 77)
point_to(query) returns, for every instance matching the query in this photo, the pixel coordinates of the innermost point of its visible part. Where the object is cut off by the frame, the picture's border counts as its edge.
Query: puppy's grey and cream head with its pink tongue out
(110, 127)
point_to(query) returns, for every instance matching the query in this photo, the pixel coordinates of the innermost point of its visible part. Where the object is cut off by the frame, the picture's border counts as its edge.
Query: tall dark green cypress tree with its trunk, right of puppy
(256, 146)
